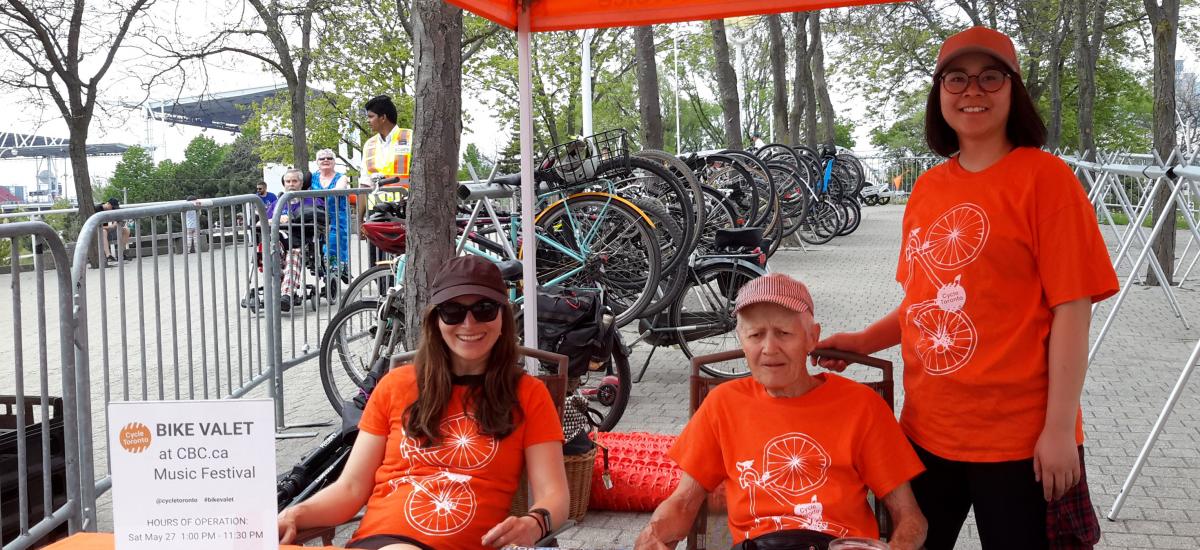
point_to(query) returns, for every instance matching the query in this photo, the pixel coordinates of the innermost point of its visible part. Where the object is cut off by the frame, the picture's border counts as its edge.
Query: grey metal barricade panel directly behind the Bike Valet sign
(164, 321)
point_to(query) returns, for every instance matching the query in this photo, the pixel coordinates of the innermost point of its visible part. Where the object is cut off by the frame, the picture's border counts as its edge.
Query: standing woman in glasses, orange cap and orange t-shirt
(1003, 260)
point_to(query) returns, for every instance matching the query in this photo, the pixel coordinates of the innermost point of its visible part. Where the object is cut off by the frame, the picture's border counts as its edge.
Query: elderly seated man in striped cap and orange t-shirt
(796, 452)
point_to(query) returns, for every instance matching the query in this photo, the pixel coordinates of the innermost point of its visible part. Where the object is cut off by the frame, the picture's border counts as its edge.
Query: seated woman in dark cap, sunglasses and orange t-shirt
(443, 443)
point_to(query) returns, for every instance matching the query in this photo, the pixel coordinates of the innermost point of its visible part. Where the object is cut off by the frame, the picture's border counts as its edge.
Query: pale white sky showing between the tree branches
(117, 123)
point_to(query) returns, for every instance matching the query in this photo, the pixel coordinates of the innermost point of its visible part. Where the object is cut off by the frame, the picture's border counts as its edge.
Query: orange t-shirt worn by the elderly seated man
(797, 463)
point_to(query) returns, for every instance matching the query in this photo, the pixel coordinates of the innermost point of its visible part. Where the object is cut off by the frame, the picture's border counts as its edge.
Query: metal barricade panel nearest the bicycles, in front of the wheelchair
(317, 252)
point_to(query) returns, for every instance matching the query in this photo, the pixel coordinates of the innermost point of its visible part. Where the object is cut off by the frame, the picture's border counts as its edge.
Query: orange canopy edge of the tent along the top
(575, 15)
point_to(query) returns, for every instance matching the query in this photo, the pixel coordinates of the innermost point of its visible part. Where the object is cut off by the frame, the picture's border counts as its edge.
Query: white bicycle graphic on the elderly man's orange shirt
(794, 465)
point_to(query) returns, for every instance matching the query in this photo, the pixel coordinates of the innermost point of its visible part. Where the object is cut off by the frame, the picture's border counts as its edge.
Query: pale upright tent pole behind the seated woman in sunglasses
(530, 248)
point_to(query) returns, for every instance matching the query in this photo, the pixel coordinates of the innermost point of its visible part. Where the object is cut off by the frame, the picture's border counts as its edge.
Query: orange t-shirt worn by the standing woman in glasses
(986, 258)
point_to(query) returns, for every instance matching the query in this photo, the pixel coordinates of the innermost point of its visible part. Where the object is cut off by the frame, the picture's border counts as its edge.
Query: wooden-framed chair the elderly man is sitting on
(700, 537)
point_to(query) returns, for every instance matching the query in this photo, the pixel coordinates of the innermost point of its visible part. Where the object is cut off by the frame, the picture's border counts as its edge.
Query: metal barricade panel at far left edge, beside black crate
(40, 489)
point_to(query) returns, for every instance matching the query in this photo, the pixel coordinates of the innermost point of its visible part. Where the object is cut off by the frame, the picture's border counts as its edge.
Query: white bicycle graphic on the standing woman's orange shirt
(949, 338)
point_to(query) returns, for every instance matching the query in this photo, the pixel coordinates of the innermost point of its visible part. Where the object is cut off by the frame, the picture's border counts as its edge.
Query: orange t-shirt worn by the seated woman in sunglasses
(451, 495)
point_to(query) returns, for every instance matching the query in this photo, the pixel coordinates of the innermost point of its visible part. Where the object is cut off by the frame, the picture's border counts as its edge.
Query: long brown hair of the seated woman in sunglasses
(494, 405)
